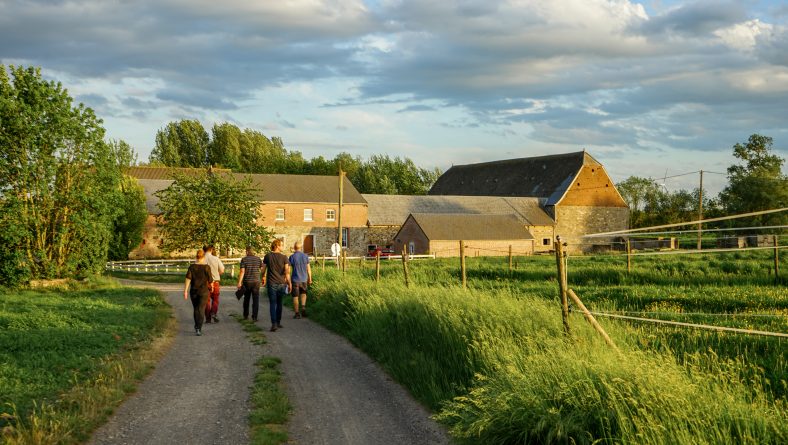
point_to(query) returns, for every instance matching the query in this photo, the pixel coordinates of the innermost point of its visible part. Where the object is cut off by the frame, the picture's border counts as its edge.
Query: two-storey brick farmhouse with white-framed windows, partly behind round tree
(293, 207)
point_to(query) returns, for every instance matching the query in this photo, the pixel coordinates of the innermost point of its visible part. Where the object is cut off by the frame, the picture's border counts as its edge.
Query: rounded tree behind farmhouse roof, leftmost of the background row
(181, 144)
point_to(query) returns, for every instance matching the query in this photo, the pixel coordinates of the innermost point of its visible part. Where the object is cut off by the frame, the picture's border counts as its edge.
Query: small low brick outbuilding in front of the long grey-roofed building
(484, 235)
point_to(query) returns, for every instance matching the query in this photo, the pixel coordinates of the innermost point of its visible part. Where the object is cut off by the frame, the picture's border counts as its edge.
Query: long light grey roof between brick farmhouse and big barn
(393, 210)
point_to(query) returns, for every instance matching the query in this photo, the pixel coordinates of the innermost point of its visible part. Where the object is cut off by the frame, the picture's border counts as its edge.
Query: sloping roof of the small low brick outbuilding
(452, 226)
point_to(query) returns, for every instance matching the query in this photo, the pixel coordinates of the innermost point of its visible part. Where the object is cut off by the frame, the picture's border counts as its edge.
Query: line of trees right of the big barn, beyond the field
(755, 183)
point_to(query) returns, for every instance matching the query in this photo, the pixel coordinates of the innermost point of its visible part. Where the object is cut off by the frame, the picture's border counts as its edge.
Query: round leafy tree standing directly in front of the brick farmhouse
(210, 208)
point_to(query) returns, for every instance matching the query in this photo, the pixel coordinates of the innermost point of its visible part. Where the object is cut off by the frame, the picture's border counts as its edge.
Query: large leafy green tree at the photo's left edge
(59, 181)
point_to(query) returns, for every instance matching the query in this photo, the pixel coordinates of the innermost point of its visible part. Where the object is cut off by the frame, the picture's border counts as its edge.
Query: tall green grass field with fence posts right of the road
(493, 362)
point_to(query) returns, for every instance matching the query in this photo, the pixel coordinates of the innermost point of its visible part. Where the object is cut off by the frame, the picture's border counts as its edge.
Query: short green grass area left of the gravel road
(70, 355)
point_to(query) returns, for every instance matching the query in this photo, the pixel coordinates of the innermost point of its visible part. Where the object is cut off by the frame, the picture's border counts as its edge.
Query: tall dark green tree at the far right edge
(756, 184)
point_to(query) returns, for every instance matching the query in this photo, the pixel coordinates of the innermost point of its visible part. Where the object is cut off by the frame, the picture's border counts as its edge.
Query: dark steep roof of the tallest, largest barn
(546, 177)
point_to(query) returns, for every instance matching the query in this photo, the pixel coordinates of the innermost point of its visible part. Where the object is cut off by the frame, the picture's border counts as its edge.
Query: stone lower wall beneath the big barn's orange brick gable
(572, 222)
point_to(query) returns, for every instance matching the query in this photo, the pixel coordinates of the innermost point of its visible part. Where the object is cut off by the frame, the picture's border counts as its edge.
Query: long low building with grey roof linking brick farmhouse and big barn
(387, 213)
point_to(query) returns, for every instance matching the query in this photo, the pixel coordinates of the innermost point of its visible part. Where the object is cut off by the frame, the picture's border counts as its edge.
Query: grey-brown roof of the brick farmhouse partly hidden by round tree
(268, 187)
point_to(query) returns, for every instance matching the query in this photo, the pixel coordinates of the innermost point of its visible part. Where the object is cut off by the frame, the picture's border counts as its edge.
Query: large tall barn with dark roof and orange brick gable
(573, 188)
